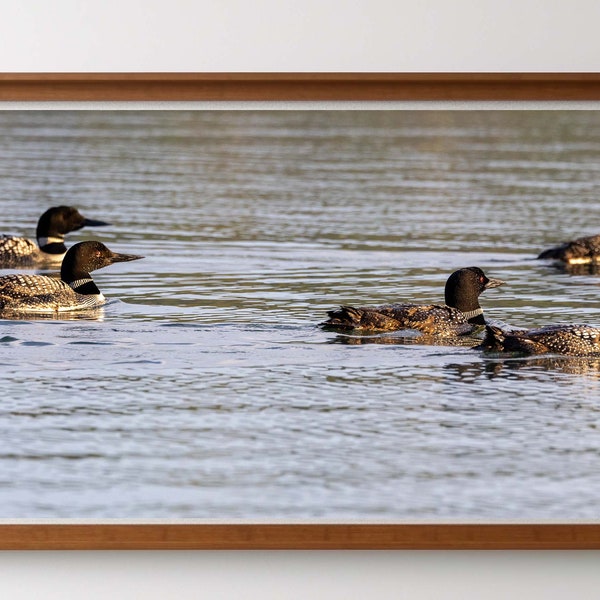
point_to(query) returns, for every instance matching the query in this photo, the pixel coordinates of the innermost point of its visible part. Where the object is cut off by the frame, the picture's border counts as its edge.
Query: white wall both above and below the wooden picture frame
(299, 35)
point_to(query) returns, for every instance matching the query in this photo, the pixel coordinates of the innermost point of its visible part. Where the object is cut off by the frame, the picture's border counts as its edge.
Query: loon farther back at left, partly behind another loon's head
(51, 229)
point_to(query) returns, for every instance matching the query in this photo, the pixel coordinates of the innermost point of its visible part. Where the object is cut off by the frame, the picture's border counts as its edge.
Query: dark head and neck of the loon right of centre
(463, 289)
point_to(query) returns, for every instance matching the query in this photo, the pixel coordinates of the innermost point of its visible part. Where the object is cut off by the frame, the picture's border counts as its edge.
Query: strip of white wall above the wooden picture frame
(299, 35)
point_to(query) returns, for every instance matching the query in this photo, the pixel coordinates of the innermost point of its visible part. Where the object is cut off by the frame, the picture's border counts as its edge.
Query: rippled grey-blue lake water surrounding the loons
(204, 389)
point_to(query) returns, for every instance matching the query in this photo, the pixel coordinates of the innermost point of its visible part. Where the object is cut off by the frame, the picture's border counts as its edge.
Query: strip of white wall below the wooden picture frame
(300, 575)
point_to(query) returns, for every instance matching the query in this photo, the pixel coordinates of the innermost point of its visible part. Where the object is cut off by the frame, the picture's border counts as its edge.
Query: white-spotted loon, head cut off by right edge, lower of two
(570, 340)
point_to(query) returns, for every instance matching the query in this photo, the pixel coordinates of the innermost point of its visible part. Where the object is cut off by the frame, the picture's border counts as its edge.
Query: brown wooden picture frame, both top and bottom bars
(291, 87)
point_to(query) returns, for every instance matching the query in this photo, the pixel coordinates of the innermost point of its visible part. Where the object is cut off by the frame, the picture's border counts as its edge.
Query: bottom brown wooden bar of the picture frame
(302, 536)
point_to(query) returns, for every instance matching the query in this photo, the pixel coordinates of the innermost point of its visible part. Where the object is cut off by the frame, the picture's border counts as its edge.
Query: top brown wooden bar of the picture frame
(150, 87)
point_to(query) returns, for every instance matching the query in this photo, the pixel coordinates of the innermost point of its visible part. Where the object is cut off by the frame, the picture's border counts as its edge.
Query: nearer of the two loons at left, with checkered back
(74, 290)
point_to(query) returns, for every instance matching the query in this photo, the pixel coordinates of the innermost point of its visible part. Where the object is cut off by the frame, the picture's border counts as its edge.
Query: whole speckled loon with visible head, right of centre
(459, 316)
